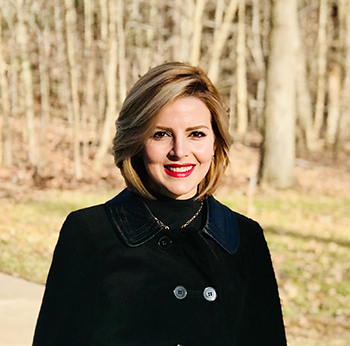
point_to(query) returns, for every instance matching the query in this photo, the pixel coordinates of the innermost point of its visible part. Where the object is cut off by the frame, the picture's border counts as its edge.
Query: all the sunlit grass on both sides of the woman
(308, 235)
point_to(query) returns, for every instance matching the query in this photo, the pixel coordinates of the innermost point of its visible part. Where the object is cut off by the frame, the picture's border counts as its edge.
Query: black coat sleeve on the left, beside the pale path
(67, 311)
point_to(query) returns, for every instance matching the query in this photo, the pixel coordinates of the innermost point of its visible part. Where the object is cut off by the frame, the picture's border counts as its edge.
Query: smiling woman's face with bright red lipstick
(179, 147)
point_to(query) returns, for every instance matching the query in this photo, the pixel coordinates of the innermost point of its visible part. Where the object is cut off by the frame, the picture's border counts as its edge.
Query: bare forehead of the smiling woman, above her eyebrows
(185, 110)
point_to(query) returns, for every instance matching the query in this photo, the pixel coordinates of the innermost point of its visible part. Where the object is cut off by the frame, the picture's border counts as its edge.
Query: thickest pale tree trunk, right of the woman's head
(277, 166)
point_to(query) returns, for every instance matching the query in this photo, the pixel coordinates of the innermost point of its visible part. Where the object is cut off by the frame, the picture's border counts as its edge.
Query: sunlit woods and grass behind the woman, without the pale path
(283, 69)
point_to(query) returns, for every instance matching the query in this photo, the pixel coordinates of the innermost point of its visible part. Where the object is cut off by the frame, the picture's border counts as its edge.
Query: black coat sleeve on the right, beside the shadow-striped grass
(262, 322)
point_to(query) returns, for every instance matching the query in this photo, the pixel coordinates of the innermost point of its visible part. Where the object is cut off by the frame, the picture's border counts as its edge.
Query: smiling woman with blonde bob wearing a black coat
(164, 263)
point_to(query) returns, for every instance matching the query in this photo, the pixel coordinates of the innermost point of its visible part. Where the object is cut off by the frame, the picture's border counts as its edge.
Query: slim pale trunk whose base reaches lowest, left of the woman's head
(71, 50)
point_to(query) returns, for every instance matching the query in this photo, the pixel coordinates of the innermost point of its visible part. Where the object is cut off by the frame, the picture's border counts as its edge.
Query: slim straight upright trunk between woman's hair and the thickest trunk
(242, 93)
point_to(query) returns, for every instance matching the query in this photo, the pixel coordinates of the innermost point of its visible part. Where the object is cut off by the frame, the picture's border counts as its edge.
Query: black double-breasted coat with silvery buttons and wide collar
(118, 278)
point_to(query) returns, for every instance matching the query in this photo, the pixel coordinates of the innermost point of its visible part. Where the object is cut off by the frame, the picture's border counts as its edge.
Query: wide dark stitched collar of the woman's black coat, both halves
(135, 224)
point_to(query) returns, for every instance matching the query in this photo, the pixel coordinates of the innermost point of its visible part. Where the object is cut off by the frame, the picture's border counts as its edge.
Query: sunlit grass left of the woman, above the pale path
(29, 229)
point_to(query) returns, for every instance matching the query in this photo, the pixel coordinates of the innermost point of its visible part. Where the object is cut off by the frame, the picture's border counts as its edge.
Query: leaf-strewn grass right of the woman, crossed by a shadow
(309, 240)
